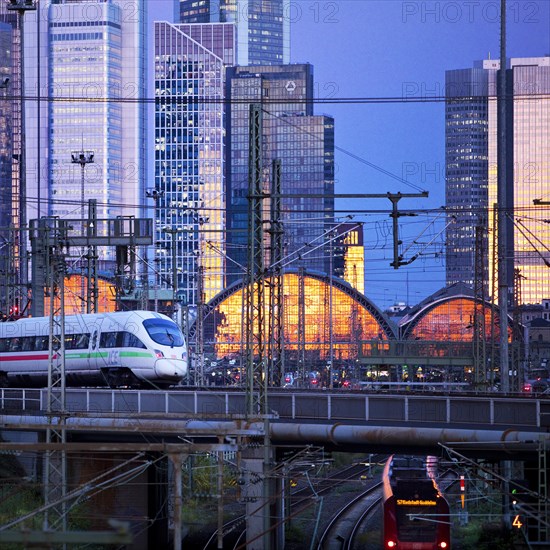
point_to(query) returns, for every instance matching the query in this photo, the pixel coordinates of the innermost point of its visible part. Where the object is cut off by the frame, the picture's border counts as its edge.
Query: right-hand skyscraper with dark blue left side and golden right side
(471, 173)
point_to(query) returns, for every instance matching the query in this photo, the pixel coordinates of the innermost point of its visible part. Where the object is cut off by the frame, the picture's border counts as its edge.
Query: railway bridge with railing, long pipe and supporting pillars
(178, 423)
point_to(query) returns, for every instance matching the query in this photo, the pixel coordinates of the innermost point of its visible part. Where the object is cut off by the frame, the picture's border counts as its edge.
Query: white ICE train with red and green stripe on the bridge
(116, 349)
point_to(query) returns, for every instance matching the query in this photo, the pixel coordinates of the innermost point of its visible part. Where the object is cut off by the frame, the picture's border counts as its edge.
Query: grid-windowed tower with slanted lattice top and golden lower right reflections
(190, 66)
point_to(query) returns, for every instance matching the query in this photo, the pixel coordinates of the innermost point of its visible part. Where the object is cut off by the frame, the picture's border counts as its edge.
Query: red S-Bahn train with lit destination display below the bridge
(415, 513)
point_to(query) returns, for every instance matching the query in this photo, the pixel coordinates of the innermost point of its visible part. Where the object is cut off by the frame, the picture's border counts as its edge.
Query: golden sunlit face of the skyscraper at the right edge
(528, 173)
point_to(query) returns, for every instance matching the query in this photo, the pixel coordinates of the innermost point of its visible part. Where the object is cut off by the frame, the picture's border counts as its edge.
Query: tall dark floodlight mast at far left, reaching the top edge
(21, 7)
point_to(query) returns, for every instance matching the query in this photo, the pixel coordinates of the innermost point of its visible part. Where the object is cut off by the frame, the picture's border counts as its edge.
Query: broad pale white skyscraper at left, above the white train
(89, 60)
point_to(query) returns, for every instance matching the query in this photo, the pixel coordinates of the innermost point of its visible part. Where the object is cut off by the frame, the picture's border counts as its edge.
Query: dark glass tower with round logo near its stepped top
(303, 142)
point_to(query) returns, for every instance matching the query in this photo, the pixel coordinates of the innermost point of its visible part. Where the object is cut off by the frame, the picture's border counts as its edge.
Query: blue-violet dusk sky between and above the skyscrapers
(365, 49)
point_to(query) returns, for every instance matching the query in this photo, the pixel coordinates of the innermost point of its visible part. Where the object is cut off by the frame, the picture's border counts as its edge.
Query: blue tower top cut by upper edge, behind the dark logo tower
(263, 26)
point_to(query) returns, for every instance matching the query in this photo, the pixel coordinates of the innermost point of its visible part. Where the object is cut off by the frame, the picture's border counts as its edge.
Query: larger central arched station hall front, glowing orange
(307, 317)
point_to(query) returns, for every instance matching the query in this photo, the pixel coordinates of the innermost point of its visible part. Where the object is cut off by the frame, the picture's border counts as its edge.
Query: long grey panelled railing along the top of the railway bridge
(359, 408)
